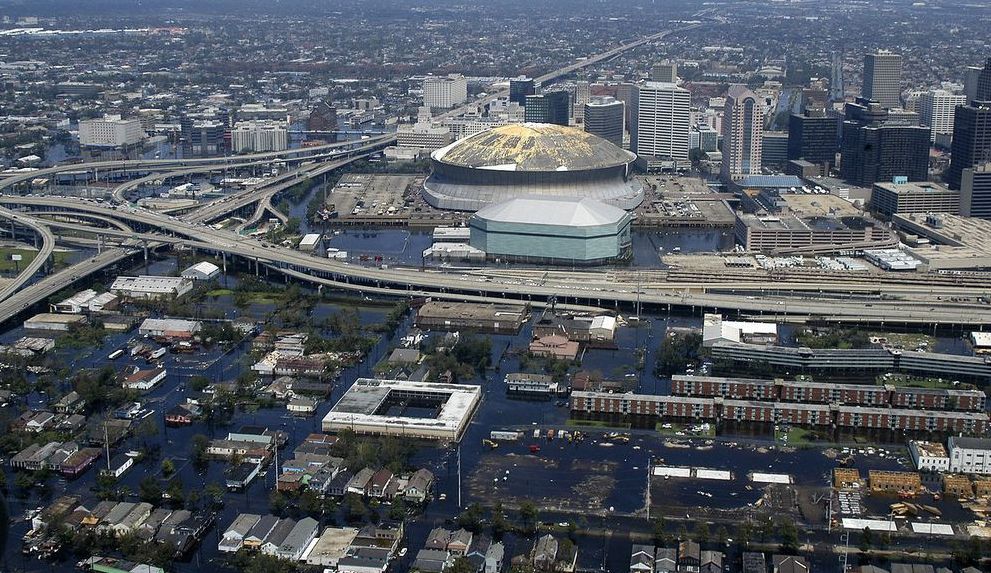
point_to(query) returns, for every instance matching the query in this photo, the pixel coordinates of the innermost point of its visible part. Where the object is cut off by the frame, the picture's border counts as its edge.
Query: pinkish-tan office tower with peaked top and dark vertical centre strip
(743, 127)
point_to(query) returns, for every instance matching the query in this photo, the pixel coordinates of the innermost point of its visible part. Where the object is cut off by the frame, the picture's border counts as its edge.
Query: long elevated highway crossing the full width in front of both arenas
(853, 301)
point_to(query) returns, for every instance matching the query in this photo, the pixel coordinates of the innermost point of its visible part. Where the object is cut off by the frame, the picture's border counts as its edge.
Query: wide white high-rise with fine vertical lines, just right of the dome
(663, 122)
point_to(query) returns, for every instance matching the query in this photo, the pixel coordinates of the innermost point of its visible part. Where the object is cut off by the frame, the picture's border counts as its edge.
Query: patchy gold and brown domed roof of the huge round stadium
(533, 147)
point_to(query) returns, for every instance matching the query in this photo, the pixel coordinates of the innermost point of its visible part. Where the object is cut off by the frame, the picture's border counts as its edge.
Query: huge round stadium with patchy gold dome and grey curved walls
(530, 159)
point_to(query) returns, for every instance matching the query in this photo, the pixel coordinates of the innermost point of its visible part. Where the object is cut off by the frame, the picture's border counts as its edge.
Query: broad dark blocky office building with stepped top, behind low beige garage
(879, 146)
